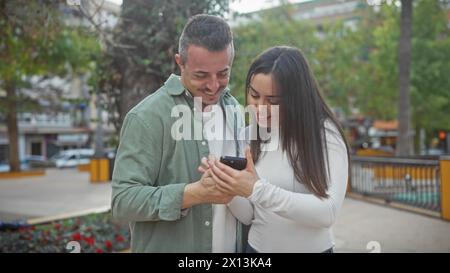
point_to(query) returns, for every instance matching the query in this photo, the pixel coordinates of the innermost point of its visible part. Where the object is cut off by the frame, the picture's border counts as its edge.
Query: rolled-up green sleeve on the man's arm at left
(135, 194)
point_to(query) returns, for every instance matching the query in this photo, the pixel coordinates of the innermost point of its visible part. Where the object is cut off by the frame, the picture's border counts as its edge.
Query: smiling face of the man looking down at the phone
(205, 73)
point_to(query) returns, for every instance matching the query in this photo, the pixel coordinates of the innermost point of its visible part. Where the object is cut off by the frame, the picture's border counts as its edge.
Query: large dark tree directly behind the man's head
(141, 56)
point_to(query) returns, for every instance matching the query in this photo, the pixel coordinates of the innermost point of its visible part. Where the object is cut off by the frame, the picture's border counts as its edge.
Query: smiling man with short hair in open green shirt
(156, 184)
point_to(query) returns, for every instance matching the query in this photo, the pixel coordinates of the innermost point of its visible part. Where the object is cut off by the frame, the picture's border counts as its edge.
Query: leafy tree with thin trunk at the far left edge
(35, 42)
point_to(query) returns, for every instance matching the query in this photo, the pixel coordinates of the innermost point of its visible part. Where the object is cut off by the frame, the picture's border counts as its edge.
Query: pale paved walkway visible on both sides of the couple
(358, 224)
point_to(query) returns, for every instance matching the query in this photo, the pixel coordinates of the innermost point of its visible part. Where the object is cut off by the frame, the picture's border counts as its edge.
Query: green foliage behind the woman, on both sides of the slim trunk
(357, 67)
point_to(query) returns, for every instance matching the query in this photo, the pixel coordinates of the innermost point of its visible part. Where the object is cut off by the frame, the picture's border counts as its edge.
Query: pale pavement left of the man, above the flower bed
(58, 192)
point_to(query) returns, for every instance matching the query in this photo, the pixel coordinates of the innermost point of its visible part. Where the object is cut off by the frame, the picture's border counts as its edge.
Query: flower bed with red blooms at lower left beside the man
(95, 233)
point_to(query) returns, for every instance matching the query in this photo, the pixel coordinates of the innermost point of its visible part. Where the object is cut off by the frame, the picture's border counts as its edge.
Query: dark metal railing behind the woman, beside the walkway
(412, 182)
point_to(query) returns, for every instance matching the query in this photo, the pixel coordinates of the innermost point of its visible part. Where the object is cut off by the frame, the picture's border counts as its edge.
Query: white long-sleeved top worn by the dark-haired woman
(284, 215)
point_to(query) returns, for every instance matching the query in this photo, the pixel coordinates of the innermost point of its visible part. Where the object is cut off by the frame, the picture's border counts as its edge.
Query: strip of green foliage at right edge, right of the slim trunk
(429, 68)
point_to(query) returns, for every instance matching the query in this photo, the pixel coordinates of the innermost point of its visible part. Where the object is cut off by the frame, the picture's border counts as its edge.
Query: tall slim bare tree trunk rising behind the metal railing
(404, 140)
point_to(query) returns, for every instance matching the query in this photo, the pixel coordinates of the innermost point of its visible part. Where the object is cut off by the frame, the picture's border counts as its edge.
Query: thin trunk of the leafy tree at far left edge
(13, 132)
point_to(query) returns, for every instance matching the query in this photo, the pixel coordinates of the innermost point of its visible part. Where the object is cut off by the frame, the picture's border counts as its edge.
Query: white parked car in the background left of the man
(72, 158)
